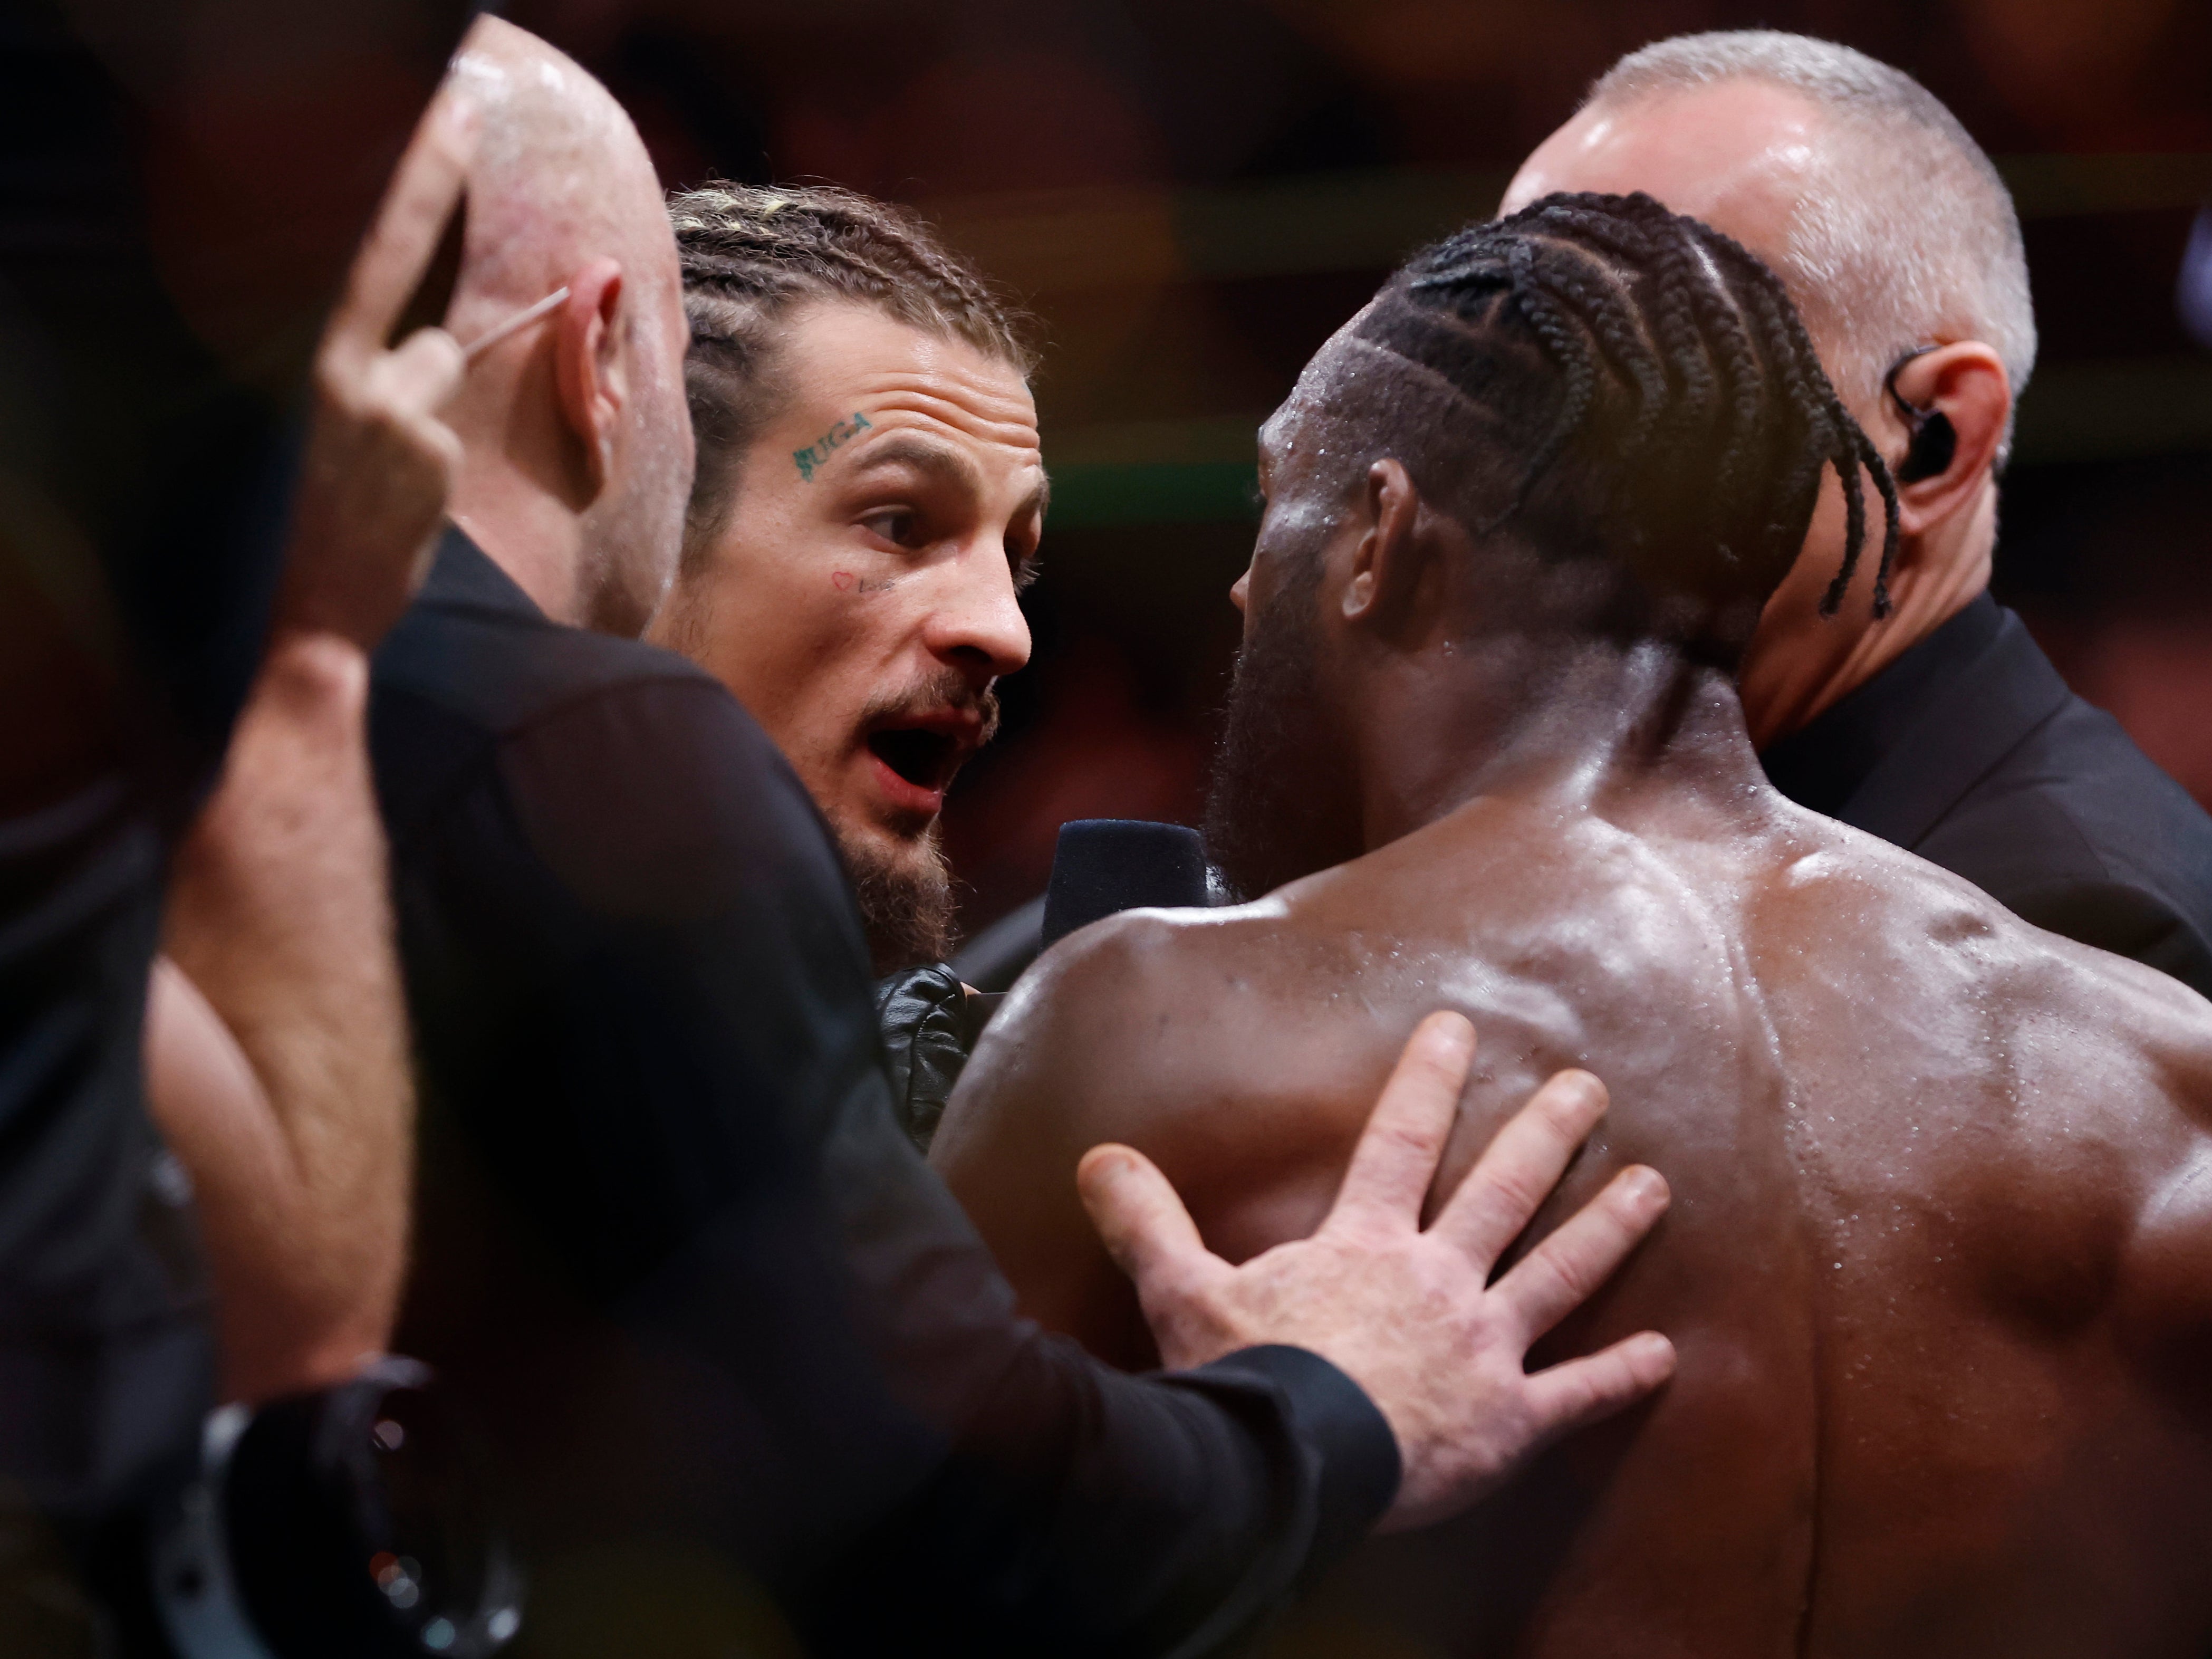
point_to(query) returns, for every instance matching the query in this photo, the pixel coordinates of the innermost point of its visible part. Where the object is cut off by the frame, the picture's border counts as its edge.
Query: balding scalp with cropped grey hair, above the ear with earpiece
(1848, 178)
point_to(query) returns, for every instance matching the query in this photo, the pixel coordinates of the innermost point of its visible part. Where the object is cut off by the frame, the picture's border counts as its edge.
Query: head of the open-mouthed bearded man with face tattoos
(870, 479)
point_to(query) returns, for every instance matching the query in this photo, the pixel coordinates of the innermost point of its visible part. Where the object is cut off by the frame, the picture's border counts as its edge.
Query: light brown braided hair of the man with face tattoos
(755, 253)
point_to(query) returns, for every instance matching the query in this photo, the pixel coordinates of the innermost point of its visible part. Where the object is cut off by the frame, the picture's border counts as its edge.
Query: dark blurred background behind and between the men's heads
(1193, 194)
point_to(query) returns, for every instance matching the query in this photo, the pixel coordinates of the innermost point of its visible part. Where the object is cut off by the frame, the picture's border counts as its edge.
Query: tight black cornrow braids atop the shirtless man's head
(1684, 366)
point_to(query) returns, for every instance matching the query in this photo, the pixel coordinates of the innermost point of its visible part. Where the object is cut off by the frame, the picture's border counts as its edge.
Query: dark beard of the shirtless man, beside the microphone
(1264, 822)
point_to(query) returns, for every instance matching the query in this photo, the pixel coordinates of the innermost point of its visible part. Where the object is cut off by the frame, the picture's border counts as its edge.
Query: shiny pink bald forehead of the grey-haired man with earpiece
(1738, 154)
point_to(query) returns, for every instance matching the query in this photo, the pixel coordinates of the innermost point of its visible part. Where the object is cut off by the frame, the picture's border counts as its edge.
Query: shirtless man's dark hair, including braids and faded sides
(1629, 386)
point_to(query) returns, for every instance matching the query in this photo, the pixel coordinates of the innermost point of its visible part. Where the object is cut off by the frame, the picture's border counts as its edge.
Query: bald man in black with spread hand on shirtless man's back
(674, 1238)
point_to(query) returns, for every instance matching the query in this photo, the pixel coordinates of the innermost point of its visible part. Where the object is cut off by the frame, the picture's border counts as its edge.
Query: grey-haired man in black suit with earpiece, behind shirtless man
(1908, 702)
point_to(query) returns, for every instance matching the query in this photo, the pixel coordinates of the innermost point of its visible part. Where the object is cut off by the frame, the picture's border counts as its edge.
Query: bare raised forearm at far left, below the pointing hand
(302, 1142)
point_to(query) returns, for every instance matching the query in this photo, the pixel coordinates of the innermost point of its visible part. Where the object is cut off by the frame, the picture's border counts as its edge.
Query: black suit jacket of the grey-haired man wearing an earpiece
(1972, 753)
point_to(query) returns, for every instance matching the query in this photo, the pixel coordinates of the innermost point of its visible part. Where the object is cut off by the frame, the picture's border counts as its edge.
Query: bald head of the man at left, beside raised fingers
(576, 444)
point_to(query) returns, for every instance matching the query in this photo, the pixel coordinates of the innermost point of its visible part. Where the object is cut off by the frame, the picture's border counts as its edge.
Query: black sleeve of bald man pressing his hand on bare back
(687, 1096)
